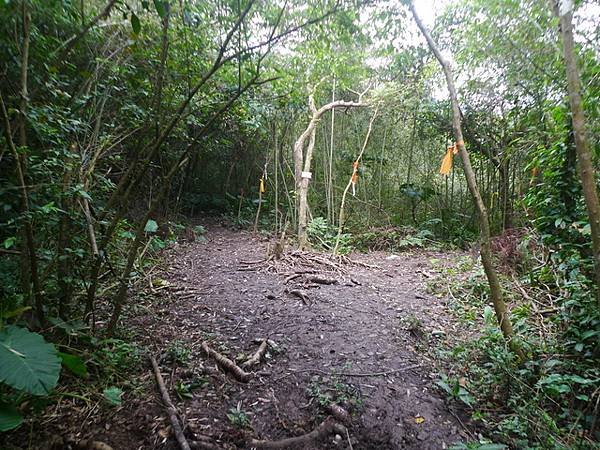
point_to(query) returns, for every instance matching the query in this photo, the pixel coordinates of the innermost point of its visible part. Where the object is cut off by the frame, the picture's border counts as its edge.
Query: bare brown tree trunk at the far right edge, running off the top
(584, 156)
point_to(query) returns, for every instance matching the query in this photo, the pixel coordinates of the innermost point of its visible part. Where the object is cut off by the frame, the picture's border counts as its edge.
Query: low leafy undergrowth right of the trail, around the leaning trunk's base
(550, 400)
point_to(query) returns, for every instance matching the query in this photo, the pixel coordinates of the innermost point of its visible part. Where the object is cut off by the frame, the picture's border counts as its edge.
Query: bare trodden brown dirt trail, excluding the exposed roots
(373, 320)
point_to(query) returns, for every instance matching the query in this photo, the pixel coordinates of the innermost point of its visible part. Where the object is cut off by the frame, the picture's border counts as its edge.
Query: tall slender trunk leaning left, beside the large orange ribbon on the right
(484, 225)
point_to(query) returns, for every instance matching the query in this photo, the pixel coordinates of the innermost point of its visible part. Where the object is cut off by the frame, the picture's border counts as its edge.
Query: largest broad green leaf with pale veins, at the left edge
(27, 361)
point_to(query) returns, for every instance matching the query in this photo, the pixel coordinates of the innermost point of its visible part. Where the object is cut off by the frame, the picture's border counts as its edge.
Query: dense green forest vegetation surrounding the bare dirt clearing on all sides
(122, 118)
